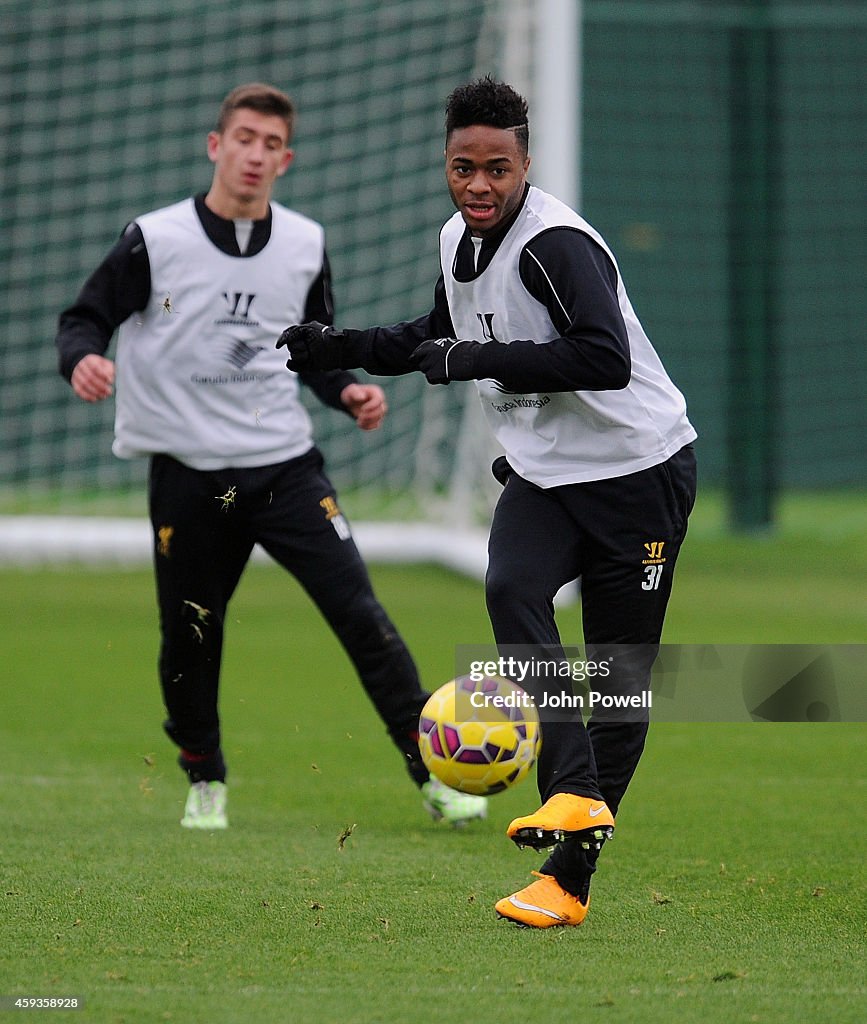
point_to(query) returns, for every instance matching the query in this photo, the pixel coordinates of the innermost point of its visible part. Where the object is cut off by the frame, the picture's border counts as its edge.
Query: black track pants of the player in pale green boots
(205, 527)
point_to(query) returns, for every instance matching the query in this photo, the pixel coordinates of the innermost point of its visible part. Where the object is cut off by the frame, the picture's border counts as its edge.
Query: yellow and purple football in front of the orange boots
(480, 736)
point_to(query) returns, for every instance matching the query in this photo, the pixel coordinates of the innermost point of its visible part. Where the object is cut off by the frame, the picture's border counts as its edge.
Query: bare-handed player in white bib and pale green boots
(198, 291)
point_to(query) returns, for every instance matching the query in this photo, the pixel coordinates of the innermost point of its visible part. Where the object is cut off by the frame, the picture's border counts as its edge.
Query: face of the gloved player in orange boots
(487, 172)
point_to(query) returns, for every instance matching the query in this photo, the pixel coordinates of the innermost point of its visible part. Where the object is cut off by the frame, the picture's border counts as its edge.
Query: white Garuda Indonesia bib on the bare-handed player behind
(198, 374)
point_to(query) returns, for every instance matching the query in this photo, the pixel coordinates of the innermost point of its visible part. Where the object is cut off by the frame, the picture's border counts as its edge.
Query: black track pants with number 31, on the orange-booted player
(622, 537)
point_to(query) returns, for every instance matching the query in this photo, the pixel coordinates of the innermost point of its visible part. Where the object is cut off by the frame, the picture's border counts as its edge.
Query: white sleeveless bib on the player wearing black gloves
(561, 438)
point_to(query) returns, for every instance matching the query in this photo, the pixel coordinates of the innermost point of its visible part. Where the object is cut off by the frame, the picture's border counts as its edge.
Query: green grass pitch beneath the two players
(733, 892)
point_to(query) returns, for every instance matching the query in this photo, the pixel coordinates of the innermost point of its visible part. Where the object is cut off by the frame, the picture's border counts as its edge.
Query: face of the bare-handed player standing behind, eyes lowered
(248, 156)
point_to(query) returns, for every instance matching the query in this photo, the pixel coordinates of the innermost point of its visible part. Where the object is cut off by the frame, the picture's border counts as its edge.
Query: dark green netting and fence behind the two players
(723, 157)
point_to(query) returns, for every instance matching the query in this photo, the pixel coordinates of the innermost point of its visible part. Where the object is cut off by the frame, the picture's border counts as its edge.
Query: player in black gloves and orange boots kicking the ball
(599, 468)
